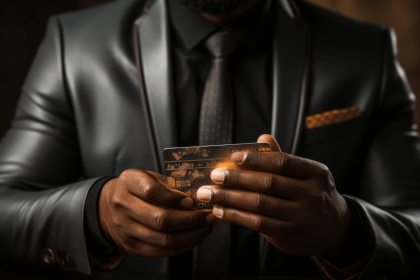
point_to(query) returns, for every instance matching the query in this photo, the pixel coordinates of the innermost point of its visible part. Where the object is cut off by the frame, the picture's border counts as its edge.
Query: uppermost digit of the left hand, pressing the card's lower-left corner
(145, 186)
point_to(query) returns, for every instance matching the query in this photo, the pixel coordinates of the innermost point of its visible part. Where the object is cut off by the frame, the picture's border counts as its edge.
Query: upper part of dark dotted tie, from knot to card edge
(216, 117)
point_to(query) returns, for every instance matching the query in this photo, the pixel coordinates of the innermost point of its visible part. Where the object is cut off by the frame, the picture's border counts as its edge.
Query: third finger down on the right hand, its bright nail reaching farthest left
(249, 201)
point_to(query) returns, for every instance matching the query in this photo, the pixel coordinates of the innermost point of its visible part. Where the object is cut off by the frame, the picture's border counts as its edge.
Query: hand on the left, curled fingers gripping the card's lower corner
(145, 218)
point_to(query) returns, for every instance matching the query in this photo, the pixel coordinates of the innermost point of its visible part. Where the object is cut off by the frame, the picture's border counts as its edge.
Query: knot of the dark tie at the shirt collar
(221, 44)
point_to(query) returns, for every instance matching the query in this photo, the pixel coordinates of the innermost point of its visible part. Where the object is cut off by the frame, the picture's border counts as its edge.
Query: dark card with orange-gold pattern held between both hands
(188, 169)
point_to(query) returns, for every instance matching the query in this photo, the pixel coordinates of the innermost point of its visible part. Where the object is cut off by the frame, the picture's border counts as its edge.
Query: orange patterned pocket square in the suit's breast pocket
(333, 116)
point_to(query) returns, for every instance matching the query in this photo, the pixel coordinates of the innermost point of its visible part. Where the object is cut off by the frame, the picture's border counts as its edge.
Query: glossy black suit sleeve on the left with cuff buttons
(41, 202)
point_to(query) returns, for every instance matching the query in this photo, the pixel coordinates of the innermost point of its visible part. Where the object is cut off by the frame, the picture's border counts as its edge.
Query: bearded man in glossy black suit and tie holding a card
(99, 102)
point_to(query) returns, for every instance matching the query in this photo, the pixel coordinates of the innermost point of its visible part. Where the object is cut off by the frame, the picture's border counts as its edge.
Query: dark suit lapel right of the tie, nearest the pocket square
(291, 71)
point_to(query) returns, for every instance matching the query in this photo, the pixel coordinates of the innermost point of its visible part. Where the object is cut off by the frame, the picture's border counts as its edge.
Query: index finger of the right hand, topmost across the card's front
(279, 163)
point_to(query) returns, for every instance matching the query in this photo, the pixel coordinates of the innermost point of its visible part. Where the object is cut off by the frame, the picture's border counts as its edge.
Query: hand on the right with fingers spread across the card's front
(290, 200)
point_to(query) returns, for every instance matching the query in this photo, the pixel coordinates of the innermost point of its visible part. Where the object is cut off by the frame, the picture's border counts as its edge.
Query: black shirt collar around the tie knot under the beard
(193, 28)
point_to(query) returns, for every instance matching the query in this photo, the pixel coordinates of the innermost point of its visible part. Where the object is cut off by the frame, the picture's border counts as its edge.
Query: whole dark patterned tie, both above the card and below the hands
(212, 256)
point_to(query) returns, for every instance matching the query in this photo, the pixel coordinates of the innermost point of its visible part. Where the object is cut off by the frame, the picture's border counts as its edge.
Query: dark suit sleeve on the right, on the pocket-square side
(389, 196)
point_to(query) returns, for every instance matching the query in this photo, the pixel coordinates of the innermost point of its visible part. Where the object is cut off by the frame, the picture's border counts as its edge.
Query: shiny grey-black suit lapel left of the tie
(155, 78)
